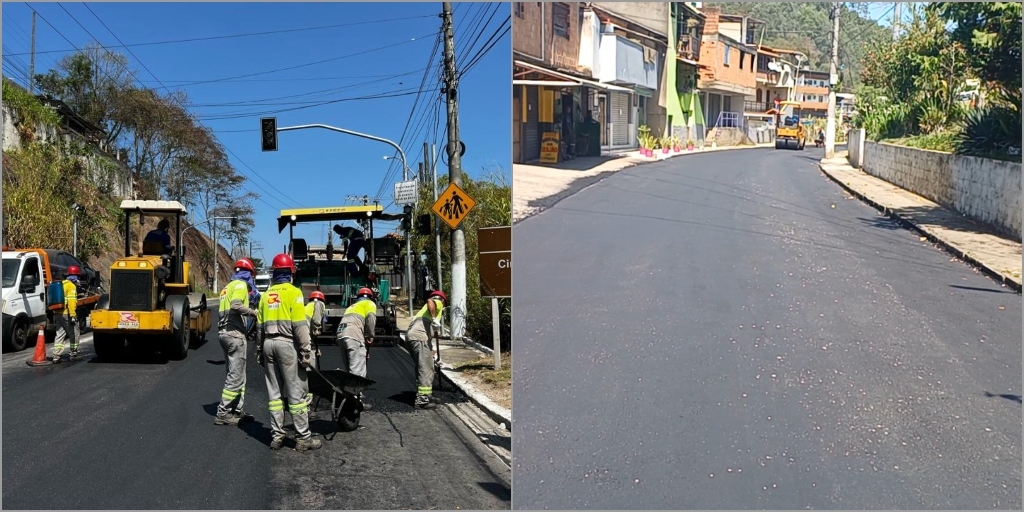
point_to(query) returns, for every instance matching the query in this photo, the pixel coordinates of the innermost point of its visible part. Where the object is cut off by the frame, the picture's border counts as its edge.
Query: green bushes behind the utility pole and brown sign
(494, 197)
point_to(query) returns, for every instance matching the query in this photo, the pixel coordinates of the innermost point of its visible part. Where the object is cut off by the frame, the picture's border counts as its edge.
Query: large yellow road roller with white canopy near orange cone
(151, 301)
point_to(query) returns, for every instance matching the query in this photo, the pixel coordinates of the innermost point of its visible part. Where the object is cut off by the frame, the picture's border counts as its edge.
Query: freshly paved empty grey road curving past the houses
(710, 333)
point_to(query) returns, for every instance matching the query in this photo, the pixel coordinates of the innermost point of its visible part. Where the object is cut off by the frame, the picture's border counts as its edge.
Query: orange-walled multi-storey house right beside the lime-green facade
(728, 73)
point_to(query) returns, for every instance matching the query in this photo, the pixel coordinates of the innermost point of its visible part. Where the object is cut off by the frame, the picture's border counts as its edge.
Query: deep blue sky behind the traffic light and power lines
(313, 167)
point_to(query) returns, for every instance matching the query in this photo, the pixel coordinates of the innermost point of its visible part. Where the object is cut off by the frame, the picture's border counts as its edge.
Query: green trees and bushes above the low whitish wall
(912, 88)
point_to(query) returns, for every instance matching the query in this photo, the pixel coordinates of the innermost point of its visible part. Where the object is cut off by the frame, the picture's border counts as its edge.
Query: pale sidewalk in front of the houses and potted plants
(539, 187)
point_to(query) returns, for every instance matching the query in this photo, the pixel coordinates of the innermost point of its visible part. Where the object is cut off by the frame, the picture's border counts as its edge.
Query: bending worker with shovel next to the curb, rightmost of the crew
(422, 329)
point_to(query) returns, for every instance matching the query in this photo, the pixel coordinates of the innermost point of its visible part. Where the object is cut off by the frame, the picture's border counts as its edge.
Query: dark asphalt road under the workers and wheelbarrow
(141, 436)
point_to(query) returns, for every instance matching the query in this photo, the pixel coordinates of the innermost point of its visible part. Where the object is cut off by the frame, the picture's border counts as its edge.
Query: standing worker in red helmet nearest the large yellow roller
(235, 307)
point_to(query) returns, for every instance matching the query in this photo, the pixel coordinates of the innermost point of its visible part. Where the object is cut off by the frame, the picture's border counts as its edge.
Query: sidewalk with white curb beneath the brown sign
(455, 354)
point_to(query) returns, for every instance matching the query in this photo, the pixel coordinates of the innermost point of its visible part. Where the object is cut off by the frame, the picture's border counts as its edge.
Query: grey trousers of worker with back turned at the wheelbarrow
(286, 382)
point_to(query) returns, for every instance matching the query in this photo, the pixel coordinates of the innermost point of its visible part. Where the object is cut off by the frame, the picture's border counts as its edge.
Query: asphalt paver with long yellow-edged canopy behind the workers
(324, 269)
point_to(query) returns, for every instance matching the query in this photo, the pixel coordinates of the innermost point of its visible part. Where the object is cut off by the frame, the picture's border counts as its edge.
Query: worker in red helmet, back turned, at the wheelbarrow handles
(287, 352)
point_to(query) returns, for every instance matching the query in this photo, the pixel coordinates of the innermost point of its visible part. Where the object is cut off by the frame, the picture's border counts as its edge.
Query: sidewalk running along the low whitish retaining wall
(969, 240)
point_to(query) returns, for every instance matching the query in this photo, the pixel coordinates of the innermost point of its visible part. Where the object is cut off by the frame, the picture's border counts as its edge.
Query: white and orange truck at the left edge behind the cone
(27, 302)
